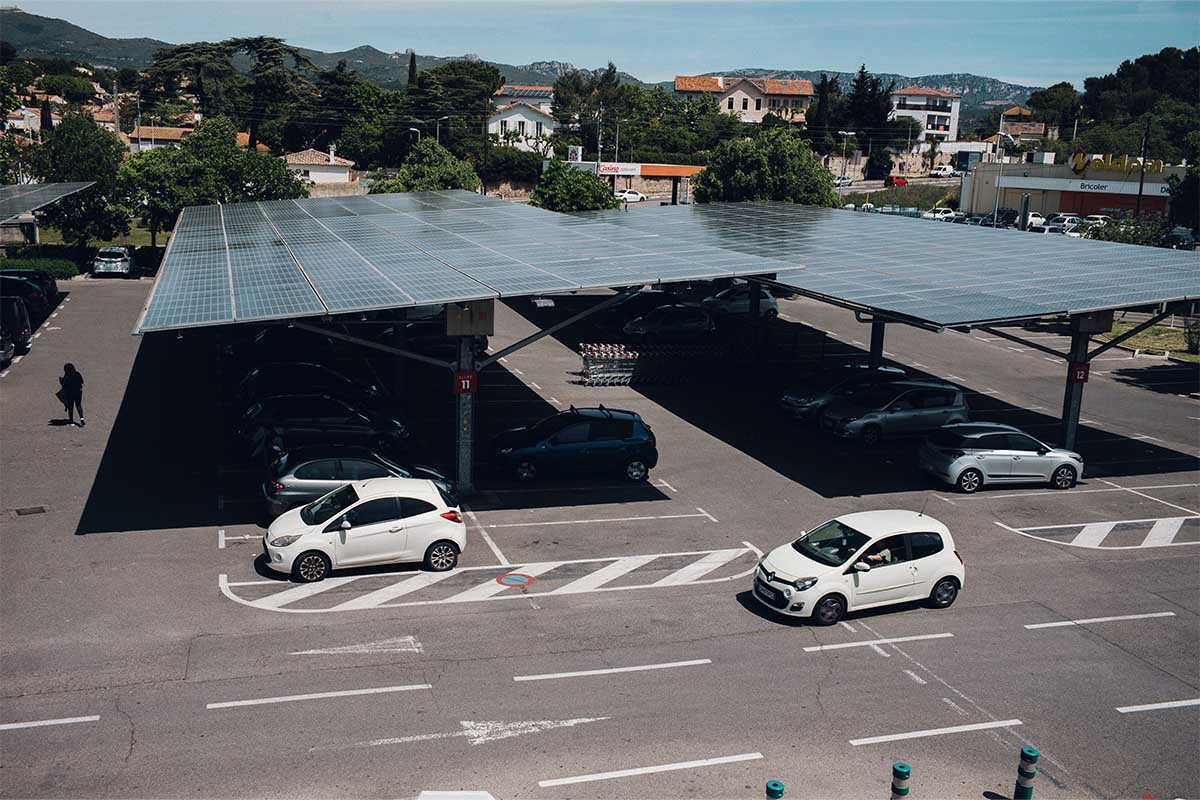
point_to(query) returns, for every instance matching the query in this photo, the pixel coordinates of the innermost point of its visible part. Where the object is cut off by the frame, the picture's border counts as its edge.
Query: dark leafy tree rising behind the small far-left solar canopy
(80, 151)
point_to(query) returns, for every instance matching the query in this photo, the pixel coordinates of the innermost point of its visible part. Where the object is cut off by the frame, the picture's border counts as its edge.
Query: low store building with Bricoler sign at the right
(1097, 187)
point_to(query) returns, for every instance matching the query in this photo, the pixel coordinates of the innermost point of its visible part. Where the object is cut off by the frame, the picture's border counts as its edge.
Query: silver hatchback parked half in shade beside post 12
(977, 454)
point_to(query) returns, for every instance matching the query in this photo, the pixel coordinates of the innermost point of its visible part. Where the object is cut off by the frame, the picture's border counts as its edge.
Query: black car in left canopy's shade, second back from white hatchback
(316, 419)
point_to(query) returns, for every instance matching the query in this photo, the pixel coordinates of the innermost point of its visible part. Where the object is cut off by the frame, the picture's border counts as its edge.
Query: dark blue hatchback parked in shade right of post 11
(585, 441)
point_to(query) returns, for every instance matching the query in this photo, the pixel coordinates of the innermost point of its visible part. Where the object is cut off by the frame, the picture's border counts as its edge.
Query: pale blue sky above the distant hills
(1035, 44)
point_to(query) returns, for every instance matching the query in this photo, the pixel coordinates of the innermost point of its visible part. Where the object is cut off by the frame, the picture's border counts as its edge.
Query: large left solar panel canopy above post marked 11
(281, 260)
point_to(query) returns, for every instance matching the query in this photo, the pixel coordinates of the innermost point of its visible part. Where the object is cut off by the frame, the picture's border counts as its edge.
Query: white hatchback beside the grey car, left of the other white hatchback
(382, 521)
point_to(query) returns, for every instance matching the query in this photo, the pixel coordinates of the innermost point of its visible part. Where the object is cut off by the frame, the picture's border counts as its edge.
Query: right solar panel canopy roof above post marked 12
(939, 273)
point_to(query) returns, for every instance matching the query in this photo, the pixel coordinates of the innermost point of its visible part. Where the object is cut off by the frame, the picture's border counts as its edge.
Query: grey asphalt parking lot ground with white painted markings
(628, 658)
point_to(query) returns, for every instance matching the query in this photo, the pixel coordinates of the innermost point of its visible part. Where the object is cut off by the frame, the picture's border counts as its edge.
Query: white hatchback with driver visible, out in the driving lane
(861, 561)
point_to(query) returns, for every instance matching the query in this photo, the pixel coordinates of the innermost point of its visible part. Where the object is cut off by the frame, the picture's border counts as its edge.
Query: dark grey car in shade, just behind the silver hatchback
(896, 410)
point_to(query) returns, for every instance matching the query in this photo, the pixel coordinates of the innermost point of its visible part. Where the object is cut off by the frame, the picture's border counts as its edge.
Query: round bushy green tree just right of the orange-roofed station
(777, 165)
